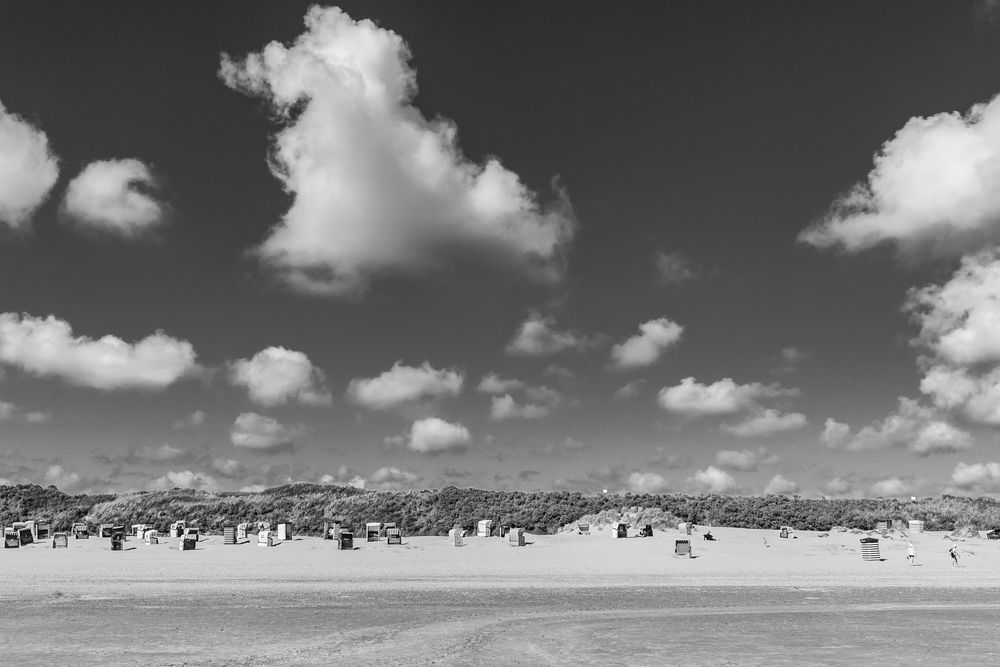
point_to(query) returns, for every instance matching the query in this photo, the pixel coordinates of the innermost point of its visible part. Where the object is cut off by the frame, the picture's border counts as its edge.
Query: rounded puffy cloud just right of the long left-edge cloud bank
(276, 376)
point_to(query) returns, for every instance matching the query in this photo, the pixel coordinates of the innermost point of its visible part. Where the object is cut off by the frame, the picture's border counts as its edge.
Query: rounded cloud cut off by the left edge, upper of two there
(28, 169)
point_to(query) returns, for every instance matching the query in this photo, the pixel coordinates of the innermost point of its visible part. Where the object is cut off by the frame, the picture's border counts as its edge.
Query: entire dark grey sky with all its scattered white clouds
(689, 247)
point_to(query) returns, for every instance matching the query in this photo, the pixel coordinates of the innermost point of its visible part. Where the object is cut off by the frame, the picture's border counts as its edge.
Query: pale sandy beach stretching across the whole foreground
(561, 599)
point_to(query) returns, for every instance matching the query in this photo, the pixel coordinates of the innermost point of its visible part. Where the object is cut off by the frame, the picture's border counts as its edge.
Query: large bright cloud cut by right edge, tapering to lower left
(934, 186)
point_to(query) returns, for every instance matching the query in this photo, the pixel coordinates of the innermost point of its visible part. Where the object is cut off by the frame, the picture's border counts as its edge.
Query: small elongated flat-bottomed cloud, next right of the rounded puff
(405, 385)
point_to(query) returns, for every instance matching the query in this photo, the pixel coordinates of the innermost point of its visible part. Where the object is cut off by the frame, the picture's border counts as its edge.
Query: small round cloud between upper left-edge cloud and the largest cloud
(115, 196)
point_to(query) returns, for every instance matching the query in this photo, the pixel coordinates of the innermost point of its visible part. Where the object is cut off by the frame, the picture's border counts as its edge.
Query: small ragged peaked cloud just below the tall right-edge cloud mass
(916, 427)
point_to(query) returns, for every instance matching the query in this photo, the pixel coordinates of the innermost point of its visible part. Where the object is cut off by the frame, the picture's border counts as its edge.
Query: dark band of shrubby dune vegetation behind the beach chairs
(434, 512)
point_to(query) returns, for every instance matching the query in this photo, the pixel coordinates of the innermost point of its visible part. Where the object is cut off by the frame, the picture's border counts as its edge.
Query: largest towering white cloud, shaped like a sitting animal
(377, 187)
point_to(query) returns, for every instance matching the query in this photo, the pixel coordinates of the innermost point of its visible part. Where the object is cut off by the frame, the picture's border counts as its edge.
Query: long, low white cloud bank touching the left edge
(47, 347)
